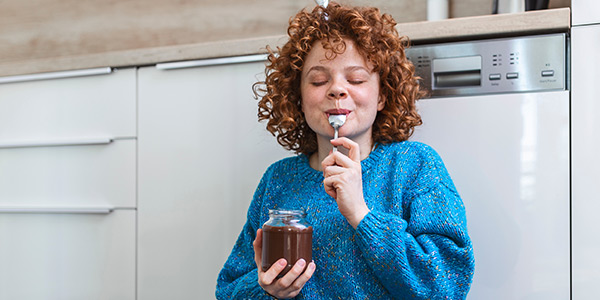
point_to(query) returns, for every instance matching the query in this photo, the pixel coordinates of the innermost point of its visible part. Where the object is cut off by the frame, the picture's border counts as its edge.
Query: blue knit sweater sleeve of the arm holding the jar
(239, 277)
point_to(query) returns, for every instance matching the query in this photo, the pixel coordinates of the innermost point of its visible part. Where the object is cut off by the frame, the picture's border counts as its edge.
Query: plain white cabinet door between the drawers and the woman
(201, 155)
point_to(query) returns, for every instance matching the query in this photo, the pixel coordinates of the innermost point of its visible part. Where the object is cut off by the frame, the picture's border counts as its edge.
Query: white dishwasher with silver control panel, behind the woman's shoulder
(498, 114)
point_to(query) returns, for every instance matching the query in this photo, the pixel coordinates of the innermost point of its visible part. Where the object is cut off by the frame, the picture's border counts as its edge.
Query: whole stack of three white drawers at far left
(68, 187)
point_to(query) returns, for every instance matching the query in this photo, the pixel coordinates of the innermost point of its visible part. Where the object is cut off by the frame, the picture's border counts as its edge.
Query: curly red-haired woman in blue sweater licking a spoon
(387, 219)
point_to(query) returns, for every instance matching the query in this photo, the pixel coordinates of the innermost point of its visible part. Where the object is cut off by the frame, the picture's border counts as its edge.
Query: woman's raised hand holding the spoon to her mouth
(343, 180)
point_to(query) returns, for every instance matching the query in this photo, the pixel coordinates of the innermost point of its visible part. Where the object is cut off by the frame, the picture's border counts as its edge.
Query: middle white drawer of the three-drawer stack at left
(71, 177)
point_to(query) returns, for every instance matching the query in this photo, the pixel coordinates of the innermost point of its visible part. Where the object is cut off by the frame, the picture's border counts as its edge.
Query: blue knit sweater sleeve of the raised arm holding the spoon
(426, 253)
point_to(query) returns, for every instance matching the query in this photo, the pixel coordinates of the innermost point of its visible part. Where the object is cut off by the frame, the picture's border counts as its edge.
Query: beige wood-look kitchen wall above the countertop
(39, 29)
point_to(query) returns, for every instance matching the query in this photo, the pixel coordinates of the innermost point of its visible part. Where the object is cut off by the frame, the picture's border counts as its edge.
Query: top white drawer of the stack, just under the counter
(69, 108)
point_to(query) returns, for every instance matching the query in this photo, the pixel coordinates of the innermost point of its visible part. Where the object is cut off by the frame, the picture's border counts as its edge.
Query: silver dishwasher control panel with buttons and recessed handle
(519, 64)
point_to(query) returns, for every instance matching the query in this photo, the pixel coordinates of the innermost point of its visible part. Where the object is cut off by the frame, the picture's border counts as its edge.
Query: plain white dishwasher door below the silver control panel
(509, 159)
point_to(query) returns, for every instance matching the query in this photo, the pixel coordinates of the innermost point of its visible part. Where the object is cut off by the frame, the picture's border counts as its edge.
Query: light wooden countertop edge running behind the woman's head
(490, 26)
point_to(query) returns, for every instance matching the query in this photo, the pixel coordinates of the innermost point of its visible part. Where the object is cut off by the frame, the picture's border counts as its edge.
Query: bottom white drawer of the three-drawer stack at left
(67, 256)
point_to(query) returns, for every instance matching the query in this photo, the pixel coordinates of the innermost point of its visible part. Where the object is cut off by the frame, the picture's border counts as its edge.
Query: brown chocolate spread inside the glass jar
(291, 241)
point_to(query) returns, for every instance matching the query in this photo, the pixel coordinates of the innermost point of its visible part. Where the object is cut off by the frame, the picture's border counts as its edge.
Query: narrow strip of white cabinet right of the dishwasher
(585, 136)
